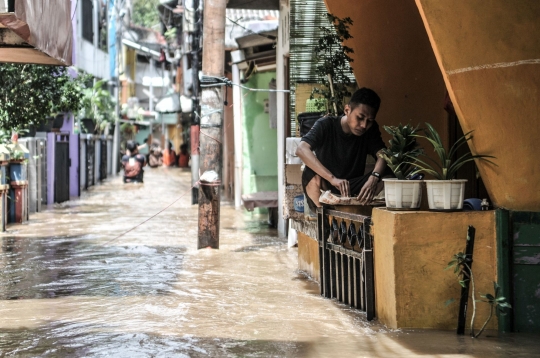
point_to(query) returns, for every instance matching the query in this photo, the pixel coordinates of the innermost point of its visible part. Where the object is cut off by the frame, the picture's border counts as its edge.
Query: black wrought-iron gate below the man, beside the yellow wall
(346, 259)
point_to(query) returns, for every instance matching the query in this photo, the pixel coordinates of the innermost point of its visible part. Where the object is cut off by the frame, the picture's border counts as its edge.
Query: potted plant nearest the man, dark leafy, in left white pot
(402, 193)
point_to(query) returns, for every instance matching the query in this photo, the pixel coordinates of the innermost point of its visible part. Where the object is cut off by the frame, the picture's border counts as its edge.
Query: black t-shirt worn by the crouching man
(344, 155)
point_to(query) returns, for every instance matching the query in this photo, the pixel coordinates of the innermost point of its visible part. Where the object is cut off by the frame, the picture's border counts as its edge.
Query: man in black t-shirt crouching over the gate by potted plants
(341, 146)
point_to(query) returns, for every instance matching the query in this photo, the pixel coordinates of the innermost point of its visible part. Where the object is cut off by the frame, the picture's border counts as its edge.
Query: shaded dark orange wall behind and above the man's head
(393, 56)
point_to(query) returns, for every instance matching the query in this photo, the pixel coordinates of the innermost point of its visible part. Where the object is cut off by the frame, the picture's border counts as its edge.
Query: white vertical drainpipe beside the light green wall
(238, 151)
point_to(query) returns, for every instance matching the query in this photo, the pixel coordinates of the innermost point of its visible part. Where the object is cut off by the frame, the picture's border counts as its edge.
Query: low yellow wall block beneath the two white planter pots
(411, 251)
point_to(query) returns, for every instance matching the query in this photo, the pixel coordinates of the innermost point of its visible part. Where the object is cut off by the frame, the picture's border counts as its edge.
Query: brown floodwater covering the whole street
(71, 287)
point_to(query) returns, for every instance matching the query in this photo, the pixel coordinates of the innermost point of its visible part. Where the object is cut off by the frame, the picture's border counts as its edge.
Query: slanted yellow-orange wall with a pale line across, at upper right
(489, 54)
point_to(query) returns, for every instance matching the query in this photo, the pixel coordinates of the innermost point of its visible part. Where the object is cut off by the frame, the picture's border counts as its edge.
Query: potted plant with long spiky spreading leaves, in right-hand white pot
(444, 192)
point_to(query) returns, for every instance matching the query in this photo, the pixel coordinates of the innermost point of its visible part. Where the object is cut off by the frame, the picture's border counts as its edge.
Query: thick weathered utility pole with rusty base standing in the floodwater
(211, 133)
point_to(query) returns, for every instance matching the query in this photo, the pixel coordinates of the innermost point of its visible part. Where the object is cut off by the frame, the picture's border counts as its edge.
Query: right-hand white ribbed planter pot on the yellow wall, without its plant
(446, 194)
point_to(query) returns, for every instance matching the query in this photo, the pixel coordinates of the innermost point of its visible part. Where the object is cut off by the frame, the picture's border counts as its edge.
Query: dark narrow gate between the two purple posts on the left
(61, 169)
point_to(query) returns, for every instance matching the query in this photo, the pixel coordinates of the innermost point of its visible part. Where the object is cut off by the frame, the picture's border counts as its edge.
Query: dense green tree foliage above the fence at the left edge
(31, 93)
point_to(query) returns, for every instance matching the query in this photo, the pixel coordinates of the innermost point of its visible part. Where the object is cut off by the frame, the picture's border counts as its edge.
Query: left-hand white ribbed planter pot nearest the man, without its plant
(402, 194)
